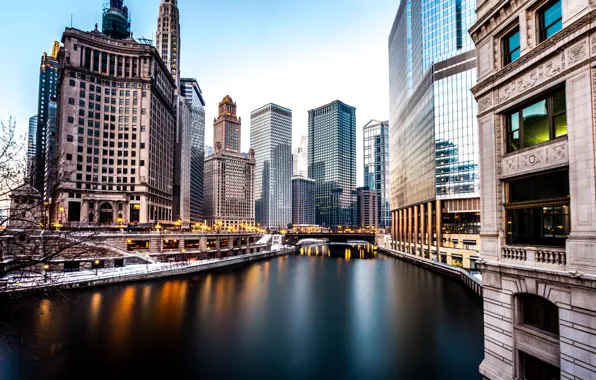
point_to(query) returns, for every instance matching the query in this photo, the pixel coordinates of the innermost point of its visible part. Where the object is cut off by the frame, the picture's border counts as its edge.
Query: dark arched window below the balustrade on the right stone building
(539, 313)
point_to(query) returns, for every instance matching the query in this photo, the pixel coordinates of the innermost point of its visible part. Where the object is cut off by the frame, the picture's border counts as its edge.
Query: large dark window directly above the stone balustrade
(538, 210)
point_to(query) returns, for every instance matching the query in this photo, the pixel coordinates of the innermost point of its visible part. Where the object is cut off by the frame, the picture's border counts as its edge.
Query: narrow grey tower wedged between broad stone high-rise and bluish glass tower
(182, 164)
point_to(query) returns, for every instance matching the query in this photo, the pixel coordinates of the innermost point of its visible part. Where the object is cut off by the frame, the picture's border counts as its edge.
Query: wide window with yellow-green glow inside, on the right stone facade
(537, 123)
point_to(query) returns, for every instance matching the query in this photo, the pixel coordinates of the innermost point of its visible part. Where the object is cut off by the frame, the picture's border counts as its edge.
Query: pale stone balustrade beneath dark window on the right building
(537, 257)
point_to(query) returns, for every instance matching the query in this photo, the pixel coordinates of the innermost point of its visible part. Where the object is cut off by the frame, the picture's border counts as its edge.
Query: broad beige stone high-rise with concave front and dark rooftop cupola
(116, 128)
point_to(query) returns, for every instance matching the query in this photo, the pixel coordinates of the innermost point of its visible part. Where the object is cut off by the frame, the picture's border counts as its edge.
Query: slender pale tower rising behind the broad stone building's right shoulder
(168, 36)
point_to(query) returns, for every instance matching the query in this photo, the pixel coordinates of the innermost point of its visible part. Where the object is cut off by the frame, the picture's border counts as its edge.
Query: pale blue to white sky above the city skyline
(300, 54)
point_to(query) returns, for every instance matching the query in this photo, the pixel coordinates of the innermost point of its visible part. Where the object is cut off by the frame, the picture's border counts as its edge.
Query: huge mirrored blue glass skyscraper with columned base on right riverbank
(435, 187)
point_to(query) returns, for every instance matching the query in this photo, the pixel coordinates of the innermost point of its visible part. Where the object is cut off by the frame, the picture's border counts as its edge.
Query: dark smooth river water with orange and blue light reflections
(296, 317)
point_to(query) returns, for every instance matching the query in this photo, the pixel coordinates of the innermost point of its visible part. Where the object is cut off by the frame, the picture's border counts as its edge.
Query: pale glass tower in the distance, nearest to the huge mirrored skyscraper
(376, 167)
